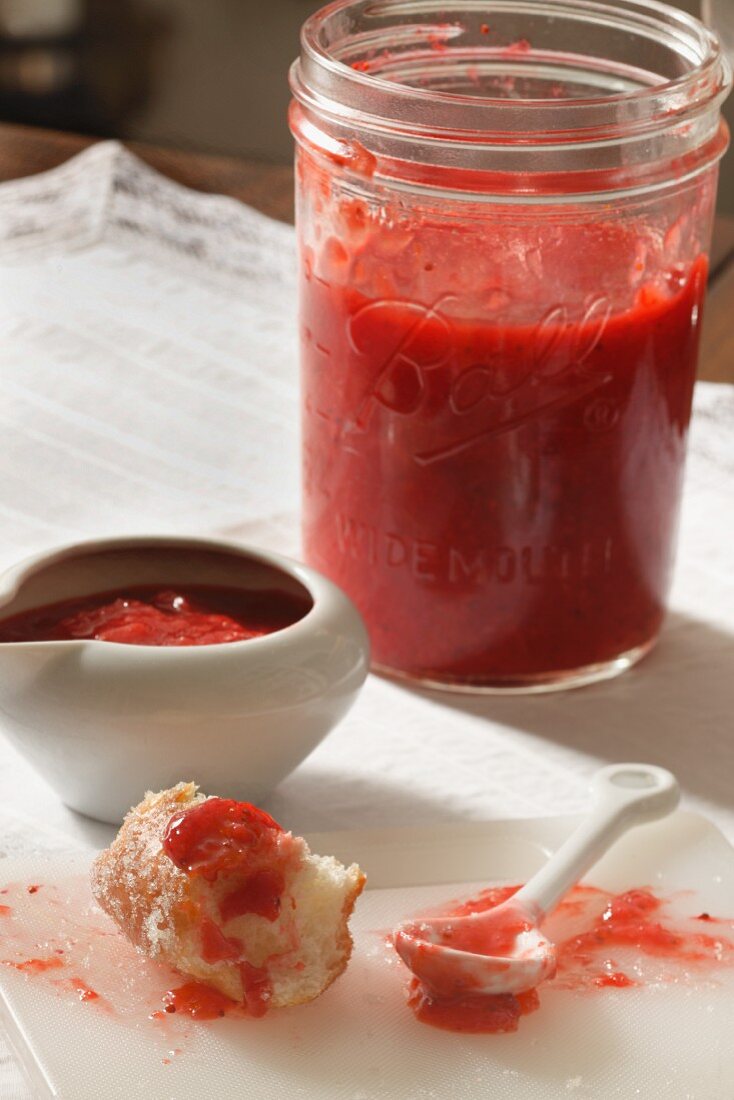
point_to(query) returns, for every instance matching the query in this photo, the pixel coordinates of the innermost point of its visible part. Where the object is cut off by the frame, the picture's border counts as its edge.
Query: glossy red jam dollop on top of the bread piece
(221, 837)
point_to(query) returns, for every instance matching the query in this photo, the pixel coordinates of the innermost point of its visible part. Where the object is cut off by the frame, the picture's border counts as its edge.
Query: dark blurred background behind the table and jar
(205, 75)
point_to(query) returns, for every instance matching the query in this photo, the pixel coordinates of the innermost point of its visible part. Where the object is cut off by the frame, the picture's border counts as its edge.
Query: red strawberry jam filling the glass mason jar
(499, 500)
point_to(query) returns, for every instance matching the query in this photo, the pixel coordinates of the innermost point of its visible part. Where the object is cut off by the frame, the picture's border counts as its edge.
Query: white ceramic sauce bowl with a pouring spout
(105, 722)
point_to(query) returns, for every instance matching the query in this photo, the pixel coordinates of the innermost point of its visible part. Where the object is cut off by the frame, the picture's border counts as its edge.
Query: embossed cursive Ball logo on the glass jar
(552, 366)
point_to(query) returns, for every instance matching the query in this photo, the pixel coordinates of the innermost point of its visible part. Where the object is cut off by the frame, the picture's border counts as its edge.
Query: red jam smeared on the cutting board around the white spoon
(604, 942)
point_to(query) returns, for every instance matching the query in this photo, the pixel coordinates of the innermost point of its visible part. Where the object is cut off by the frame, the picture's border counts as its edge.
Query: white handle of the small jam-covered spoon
(625, 795)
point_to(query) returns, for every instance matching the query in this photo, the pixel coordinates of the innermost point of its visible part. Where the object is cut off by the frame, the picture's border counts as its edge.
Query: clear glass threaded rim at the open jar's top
(327, 80)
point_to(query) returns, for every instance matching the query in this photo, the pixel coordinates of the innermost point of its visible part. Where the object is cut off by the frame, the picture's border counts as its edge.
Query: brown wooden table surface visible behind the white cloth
(269, 189)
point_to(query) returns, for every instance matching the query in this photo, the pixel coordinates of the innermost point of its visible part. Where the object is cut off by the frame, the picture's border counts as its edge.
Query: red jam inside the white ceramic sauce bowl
(152, 615)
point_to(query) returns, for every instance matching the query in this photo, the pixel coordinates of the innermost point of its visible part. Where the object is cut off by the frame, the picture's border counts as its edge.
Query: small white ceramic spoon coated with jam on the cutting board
(502, 951)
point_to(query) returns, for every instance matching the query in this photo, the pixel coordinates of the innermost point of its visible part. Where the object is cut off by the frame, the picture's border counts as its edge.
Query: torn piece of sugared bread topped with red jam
(249, 910)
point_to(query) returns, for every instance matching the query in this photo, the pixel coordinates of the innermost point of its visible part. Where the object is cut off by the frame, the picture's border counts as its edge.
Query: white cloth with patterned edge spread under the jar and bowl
(149, 382)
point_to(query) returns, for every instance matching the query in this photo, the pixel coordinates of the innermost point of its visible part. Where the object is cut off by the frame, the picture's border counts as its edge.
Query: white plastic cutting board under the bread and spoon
(359, 1042)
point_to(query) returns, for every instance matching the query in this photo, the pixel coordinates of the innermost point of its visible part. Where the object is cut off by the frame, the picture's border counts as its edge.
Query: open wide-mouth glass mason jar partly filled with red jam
(505, 213)
